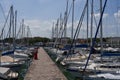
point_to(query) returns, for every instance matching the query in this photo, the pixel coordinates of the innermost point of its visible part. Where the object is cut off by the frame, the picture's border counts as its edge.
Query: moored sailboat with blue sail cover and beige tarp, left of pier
(8, 58)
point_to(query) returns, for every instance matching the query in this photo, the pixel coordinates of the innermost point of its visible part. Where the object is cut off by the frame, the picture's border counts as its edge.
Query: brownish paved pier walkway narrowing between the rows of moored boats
(44, 69)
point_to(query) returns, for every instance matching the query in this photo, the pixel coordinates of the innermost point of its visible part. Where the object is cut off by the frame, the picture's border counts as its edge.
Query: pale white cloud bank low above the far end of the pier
(40, 27)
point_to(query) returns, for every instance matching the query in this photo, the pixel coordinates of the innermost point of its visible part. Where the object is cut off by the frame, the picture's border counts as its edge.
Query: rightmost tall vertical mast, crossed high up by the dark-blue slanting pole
(101, 31)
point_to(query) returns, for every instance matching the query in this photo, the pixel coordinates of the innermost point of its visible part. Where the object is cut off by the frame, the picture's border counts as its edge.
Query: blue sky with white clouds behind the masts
(39, 15)
